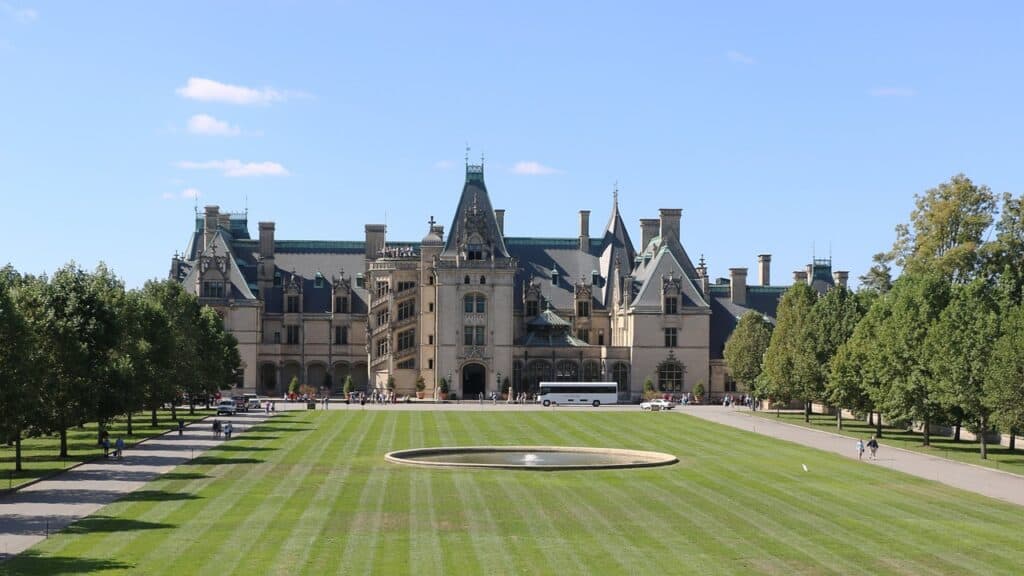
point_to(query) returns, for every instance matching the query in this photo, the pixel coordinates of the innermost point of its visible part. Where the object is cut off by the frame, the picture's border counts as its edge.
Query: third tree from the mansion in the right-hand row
(831, 323)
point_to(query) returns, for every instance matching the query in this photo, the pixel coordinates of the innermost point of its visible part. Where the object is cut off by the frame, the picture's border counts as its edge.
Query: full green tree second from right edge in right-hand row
(960, 347)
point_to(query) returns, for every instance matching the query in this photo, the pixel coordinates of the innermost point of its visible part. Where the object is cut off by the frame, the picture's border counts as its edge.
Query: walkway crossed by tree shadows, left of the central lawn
(28, 516)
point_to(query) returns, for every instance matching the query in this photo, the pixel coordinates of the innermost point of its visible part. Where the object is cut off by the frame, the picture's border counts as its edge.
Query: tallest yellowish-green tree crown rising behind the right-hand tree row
(947, 230)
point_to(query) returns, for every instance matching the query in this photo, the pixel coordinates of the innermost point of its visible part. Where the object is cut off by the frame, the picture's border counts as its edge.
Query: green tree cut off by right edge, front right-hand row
(1005, 377)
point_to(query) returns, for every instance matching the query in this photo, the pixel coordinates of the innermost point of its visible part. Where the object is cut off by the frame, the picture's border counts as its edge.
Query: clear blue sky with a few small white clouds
(777, 128)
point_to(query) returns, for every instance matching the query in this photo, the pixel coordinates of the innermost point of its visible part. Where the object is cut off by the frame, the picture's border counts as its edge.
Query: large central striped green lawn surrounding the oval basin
(311, 493)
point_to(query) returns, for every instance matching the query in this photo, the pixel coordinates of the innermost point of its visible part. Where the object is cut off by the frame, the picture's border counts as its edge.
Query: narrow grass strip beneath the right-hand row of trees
(999, 457)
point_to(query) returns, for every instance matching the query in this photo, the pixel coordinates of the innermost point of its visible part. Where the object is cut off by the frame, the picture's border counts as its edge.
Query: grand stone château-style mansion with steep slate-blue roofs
(484, 311)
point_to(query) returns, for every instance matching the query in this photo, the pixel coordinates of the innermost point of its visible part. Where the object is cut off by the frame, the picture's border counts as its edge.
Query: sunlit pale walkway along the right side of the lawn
(988, 482)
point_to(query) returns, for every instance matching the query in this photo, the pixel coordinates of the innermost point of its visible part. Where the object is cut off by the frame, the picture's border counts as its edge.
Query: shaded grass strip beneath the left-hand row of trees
(39, 456)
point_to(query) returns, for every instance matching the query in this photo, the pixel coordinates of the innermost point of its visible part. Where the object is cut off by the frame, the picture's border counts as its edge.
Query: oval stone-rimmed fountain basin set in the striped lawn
(531, 458)
